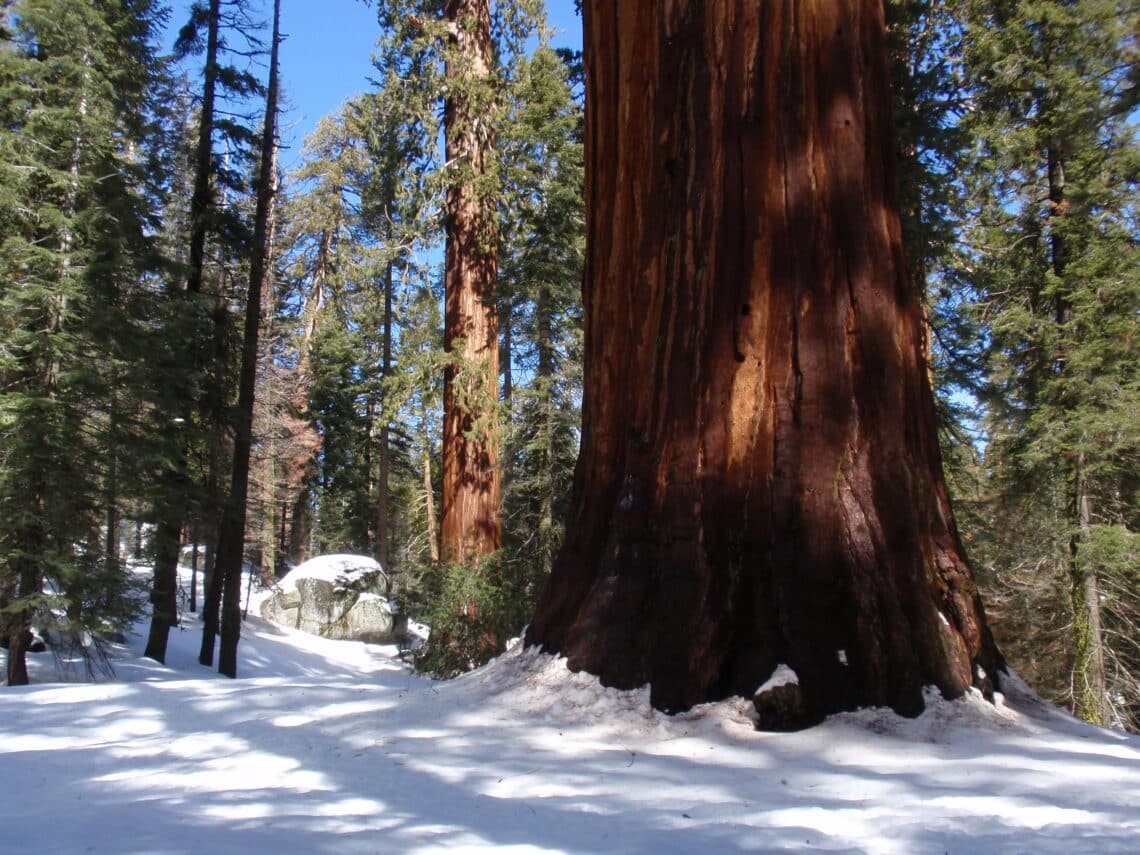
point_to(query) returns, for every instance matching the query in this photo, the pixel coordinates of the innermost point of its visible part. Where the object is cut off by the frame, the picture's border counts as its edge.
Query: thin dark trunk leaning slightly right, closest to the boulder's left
(232, 539)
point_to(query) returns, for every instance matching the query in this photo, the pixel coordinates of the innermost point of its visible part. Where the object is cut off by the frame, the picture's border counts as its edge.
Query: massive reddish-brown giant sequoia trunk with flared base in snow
(760, 479)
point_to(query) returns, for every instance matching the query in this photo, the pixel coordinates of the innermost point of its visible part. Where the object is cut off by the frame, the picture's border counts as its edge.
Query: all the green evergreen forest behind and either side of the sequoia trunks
(1019, 168)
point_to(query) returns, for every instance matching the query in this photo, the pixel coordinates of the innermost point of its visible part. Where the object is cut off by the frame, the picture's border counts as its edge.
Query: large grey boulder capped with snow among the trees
(338, 597)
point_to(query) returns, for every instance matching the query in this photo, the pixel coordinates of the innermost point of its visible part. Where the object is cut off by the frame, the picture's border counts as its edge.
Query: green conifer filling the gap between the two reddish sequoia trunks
(542, 264)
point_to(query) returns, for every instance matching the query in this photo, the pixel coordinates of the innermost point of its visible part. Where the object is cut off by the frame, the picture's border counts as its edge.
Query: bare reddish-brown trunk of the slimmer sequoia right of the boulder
(470, 525)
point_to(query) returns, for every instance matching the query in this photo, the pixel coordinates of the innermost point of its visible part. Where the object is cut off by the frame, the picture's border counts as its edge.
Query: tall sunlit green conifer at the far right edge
(1055, 258)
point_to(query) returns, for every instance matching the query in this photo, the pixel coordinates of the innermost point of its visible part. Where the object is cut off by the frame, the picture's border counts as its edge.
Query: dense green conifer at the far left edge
(77, 82)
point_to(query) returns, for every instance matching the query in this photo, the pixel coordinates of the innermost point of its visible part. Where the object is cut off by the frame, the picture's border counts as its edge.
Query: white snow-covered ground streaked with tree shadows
(335, 747)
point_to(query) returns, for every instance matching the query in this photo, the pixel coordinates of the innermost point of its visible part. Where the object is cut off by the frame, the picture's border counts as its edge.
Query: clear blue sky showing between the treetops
(327, 56)
